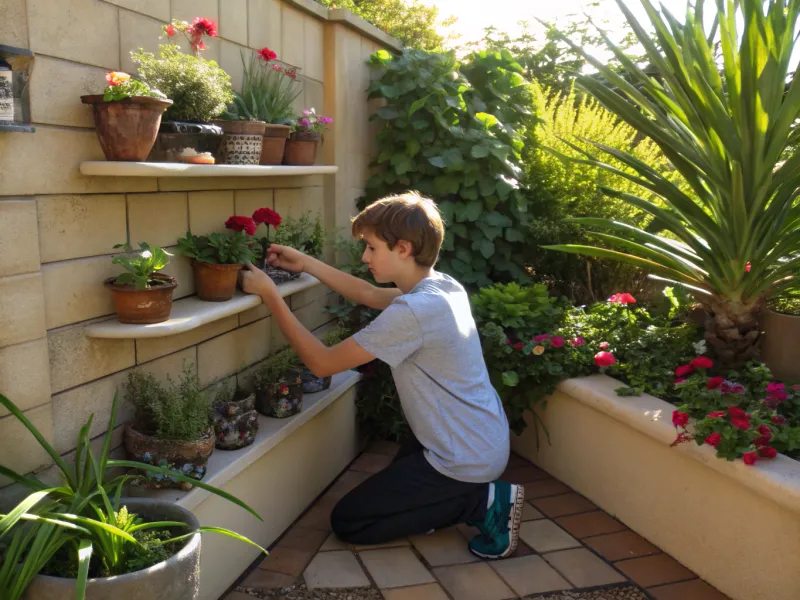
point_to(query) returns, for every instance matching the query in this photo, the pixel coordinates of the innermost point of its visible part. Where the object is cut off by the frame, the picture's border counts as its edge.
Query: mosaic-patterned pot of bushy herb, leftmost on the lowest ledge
(187, 458)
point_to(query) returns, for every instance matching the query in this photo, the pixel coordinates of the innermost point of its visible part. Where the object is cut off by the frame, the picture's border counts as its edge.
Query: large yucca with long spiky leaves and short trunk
(724, 127)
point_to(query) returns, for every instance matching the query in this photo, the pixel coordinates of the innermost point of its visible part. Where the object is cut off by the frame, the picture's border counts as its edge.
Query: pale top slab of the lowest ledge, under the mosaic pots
(224, 465)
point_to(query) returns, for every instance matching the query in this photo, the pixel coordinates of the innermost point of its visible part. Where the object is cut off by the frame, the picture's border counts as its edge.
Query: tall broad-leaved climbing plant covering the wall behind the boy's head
(439, 136)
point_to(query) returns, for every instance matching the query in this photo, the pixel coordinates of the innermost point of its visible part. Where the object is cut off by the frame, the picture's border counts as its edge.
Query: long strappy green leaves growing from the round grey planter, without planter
(82, 517)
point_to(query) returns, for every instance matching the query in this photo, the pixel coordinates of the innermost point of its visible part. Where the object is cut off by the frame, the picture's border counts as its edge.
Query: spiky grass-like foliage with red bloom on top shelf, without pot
(268, 91)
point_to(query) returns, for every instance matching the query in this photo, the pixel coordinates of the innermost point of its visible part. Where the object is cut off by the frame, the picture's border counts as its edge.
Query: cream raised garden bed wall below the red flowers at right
(737, 527)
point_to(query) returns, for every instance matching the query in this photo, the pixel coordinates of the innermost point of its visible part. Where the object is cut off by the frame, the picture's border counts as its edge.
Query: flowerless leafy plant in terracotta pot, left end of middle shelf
(141, 294)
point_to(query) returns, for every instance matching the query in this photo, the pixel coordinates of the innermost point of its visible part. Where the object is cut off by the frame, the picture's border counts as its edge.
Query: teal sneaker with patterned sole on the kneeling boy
(500, 528)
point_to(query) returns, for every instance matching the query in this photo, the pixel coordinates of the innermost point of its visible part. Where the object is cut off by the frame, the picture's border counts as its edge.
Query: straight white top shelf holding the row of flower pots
(109, 168)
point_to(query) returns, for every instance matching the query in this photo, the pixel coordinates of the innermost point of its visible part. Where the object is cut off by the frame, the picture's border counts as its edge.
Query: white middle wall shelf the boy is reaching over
(191, 313)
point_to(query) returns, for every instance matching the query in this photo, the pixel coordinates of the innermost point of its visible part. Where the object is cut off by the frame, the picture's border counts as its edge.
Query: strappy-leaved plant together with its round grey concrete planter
(83, 540)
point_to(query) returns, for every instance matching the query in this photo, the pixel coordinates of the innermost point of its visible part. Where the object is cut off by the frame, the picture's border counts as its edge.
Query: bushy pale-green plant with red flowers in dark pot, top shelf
(200, 91)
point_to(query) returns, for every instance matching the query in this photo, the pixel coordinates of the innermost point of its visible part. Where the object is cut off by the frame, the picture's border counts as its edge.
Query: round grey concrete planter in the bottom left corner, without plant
(175, 579)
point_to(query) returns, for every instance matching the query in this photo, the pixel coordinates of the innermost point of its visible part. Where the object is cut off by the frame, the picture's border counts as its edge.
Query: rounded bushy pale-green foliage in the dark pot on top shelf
(199, 89)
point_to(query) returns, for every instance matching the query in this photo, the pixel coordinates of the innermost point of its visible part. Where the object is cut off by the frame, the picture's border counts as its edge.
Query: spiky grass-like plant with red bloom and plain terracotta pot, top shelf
(269, 90)
